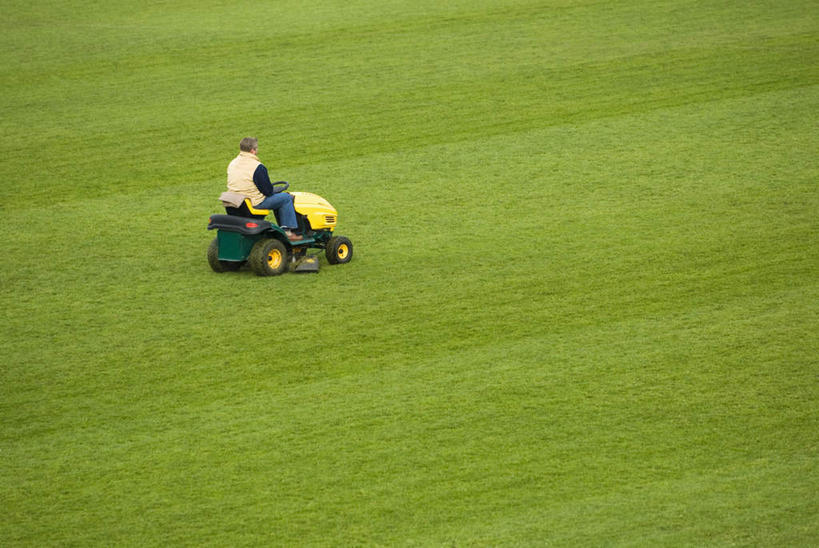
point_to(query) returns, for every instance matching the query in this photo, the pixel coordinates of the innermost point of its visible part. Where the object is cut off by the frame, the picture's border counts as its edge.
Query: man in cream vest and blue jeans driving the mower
(247, 175)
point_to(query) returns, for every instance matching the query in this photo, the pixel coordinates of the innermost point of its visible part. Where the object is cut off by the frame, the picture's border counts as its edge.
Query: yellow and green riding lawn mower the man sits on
(244, 236)
